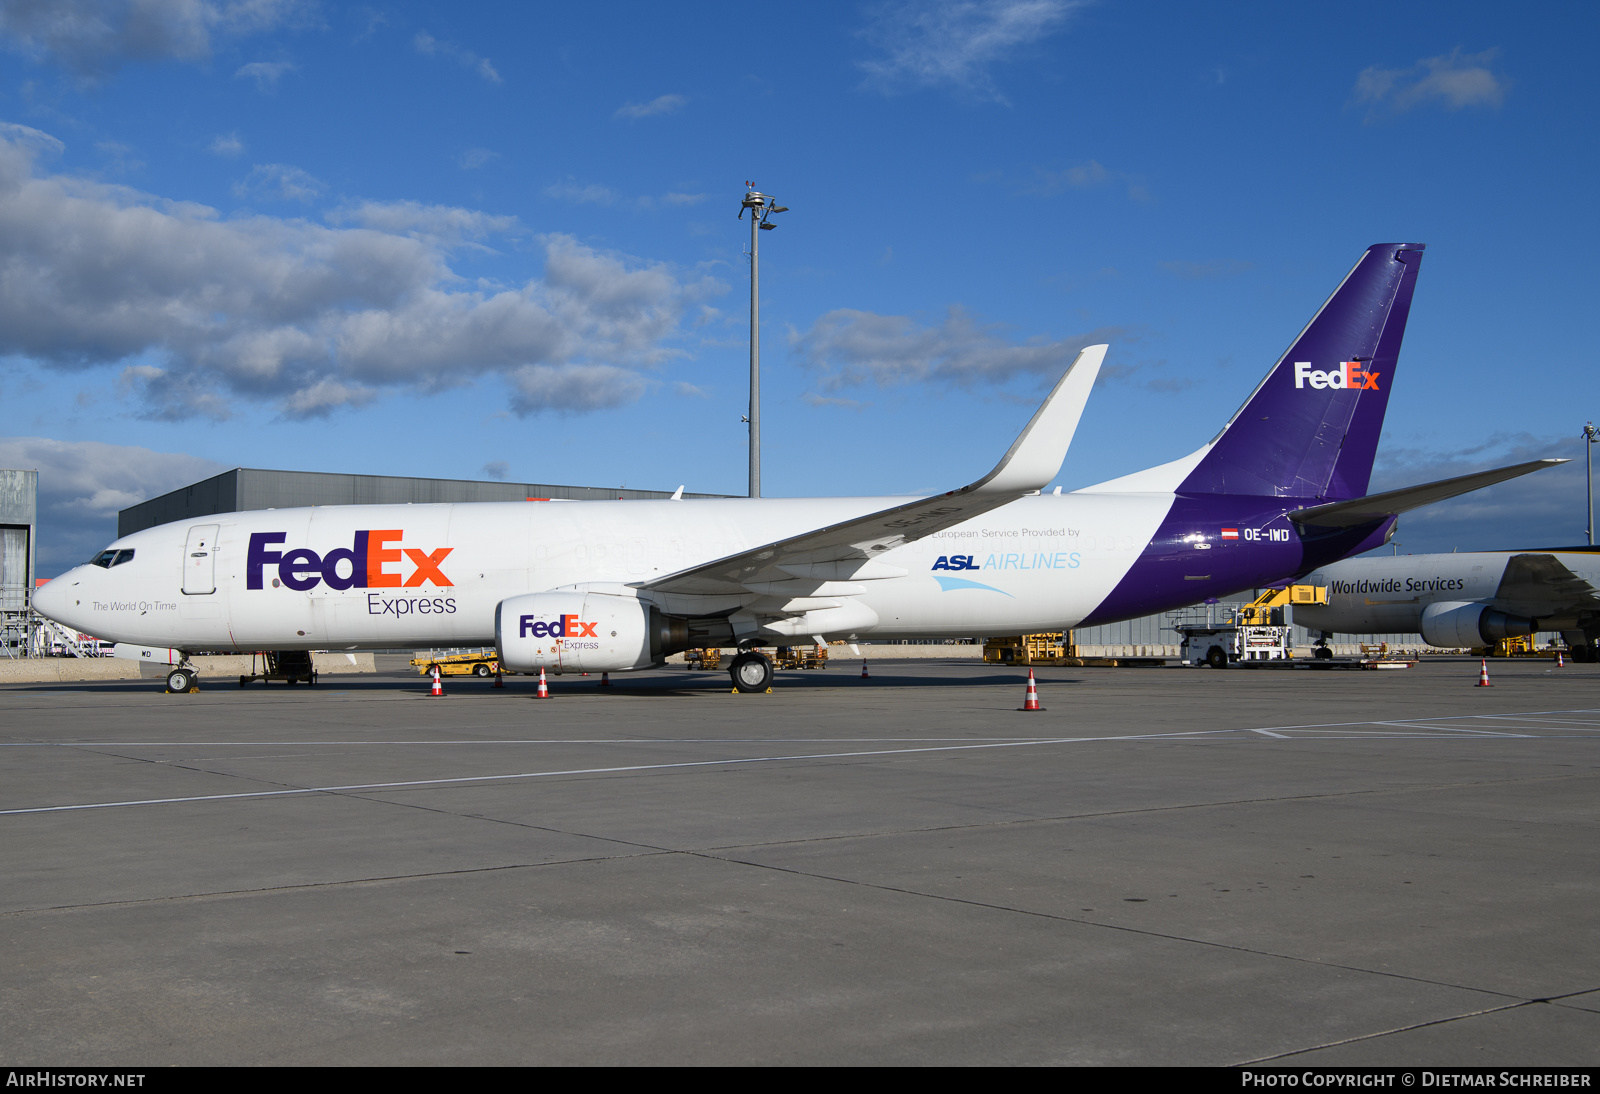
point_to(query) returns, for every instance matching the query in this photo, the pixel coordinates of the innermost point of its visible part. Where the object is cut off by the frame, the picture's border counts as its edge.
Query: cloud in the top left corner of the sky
(95, 38)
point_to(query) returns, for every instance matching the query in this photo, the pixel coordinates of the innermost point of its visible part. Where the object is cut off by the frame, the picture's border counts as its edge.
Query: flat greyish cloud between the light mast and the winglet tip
(860, 348)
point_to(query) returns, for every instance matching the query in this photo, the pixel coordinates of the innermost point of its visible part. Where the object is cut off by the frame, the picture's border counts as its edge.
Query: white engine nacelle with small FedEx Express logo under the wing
(583, 631)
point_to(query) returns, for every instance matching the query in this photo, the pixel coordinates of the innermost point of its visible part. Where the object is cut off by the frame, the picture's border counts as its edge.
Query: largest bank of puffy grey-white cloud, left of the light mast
(204, 311)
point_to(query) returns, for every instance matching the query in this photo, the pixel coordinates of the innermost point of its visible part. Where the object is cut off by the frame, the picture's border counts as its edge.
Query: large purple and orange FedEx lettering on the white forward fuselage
(367, 564)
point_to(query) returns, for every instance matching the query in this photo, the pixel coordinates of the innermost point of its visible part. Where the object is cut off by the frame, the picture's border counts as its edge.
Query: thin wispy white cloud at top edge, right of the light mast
(954, 44)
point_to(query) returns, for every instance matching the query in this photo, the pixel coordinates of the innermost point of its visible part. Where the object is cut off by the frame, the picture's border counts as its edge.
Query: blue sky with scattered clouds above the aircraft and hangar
(500, 241)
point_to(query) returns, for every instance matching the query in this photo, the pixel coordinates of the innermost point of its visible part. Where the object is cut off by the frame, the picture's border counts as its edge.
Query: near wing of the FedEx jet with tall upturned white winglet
(847, 551)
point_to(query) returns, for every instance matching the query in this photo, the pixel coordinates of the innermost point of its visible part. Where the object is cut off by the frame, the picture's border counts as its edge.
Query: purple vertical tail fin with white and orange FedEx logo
(1311, 428)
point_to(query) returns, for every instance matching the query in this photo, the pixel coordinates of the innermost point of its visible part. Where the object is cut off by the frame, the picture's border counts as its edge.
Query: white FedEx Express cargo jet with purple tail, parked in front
(617, 586)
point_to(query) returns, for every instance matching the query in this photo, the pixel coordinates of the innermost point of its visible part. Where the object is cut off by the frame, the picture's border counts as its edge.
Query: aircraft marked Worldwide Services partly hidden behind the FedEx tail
(1471, 599)
